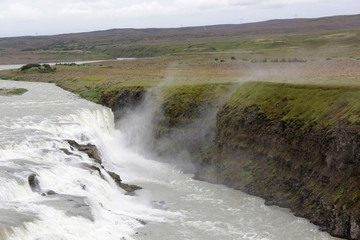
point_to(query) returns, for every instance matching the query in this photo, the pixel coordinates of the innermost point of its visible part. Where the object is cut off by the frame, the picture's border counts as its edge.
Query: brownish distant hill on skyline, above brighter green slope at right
(160, 41)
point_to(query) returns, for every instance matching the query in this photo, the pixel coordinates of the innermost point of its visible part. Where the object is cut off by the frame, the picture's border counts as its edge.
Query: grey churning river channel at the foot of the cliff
(205, 211)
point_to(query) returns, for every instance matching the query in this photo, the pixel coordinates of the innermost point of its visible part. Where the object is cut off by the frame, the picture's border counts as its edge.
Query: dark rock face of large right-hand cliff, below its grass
(312, 170)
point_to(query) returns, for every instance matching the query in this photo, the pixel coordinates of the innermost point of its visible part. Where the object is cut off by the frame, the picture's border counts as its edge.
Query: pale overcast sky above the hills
(47, 17)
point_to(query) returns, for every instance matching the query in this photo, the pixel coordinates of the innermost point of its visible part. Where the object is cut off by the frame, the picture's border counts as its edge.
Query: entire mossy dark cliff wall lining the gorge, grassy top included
(297, 146)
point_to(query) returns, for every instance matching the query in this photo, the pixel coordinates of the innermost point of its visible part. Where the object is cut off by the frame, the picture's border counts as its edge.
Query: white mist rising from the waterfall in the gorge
(182, 142)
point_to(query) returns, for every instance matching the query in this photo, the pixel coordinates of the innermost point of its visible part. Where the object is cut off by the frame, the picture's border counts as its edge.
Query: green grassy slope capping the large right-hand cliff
(305, 104)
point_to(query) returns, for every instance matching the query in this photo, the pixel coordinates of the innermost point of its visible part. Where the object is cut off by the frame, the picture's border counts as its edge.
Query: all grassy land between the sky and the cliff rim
(302, 51)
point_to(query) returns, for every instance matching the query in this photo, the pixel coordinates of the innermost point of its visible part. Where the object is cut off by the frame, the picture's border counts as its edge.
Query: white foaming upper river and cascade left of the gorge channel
(50, 190)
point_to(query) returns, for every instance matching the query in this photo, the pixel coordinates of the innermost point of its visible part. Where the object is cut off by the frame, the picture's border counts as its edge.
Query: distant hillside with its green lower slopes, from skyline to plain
(262, 39)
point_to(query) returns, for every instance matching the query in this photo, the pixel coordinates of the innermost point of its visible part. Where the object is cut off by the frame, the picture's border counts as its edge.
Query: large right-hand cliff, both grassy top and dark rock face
(294, 145)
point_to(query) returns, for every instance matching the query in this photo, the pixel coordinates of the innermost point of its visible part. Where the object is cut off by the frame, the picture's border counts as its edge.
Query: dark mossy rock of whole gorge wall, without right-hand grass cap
(310, 168)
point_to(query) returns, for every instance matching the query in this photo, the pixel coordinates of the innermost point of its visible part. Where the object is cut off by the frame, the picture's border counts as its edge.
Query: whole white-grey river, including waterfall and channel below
(73, 200)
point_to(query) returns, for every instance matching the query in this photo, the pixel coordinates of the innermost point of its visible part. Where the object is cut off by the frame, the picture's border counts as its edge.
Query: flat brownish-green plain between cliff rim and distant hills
(90, 80)
